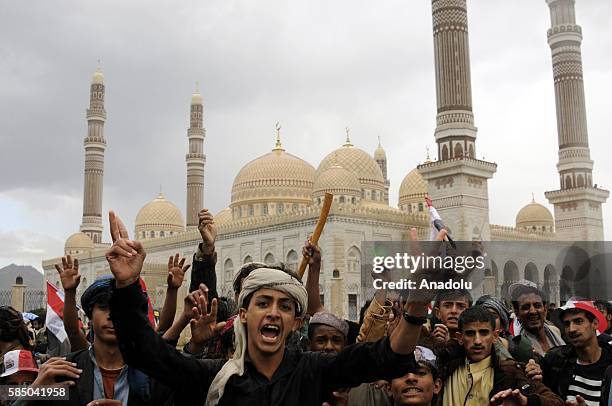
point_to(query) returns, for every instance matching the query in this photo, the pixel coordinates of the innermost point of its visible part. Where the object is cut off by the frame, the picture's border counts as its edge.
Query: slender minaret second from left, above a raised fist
(195, 161)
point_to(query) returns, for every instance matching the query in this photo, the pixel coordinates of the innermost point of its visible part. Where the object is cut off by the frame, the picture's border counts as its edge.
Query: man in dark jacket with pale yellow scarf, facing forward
(476, 375)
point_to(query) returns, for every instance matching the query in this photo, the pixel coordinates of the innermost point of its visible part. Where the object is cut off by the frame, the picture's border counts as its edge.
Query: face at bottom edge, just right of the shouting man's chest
(416, 387)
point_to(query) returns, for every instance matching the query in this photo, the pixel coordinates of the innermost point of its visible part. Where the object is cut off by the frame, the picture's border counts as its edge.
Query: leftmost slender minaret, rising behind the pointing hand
(95, 145)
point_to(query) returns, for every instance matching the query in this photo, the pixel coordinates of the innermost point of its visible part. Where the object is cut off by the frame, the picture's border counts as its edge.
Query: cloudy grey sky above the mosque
(316, 66)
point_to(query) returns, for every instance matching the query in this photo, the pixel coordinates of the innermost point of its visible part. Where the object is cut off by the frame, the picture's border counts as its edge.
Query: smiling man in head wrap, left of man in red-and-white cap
(530, 308)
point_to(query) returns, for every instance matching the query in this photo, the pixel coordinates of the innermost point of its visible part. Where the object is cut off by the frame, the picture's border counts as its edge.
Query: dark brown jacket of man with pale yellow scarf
(507, 374)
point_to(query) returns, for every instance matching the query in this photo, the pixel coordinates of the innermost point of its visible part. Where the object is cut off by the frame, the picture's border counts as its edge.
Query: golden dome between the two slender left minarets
(159, 215)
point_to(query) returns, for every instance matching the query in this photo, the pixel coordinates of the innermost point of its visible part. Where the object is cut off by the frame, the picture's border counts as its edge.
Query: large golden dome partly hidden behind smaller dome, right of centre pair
(358, 162)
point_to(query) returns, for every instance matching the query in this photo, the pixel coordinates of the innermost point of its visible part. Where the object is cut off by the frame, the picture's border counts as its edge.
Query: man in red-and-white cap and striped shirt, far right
(576, 371)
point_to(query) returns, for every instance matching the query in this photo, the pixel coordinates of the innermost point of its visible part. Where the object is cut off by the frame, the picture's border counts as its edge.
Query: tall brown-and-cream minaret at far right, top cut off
(578, 214)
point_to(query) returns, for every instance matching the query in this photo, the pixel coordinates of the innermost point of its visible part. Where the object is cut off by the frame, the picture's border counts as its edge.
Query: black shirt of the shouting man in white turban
(301, 379)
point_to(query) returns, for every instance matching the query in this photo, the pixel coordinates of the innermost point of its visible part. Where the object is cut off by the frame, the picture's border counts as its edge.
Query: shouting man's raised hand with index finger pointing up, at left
(125, 256)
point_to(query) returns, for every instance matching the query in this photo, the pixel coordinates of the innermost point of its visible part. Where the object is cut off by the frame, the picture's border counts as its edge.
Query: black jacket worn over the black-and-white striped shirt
(558, 366)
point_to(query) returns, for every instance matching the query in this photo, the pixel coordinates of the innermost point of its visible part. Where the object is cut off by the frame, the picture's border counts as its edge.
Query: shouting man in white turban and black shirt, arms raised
(263, 371)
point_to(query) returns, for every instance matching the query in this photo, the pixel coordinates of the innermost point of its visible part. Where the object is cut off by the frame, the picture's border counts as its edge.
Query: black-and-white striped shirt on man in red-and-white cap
(588, 381)
